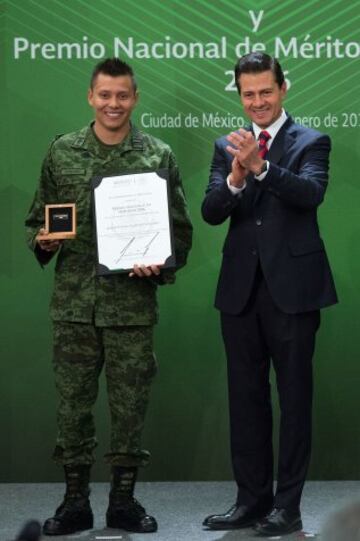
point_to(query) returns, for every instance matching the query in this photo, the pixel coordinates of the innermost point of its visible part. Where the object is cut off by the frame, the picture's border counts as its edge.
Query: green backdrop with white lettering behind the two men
(183, 53)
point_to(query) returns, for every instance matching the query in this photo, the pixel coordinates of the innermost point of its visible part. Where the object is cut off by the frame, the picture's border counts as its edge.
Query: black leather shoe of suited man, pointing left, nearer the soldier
(238, 516)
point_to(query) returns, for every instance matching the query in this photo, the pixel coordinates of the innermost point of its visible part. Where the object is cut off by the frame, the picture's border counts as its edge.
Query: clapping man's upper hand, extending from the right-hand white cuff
(246, 150)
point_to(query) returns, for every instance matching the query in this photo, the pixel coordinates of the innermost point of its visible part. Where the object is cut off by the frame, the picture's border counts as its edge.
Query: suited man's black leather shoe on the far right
(279, 522)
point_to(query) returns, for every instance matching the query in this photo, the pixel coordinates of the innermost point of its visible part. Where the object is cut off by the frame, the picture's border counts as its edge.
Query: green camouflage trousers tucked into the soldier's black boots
(80, 353)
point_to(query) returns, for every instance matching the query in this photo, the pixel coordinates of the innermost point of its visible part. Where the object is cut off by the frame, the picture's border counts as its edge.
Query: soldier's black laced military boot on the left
(74, 514)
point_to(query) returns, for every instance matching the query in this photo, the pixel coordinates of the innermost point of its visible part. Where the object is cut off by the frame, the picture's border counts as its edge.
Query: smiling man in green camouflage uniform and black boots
(102, 320)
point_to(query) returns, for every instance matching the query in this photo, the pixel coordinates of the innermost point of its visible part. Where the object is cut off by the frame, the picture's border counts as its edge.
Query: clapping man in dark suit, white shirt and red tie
(275, 276)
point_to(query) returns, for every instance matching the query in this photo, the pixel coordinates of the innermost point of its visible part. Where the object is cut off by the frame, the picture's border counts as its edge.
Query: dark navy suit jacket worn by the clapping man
(274, 221)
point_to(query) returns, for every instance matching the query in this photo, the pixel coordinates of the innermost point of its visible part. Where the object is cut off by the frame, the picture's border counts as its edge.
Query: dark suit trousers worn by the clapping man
(259, 334)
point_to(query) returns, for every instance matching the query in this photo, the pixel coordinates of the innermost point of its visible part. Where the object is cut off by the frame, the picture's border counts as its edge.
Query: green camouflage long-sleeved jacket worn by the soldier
(79, 294)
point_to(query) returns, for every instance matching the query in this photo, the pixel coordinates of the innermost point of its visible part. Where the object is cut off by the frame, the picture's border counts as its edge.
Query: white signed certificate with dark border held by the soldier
(132, 221)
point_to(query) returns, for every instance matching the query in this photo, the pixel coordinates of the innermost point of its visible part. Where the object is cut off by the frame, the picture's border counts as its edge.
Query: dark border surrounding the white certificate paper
(102, 270)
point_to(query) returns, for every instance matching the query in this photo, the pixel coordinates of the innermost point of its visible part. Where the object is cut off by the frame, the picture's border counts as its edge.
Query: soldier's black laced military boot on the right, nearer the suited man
(124, 512)
